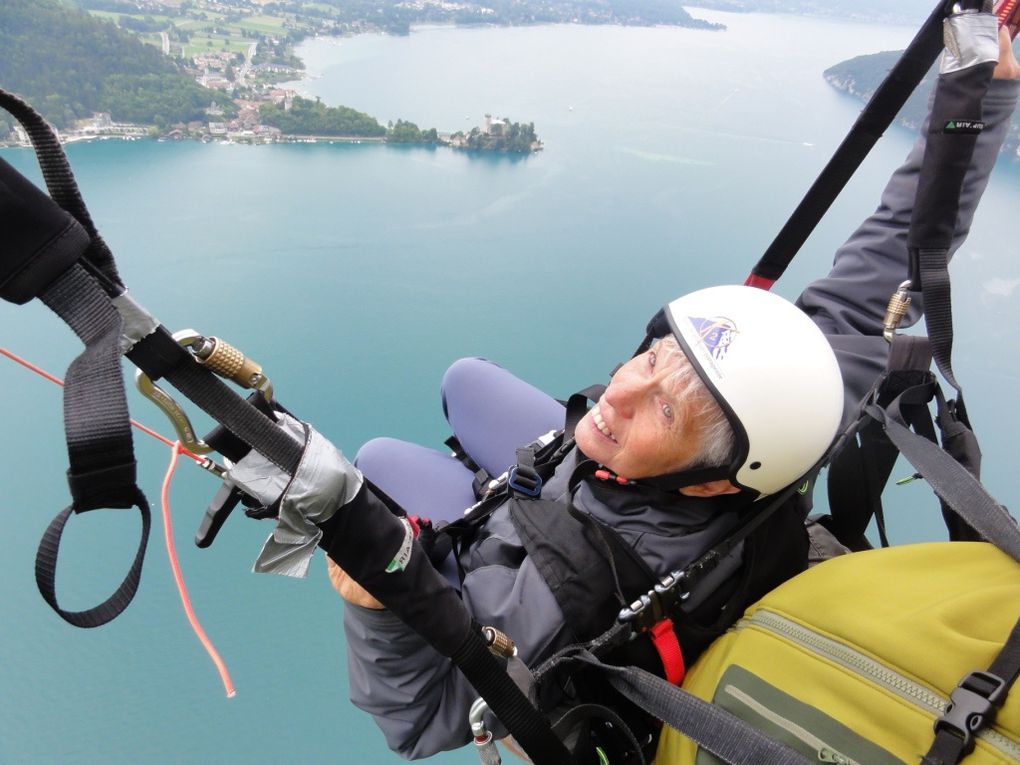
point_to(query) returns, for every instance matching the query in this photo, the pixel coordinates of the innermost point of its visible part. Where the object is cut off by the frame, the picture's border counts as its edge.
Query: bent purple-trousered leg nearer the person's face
(493, 414)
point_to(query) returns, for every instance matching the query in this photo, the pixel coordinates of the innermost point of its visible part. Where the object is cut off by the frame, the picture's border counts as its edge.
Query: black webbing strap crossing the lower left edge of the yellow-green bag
(711, 728)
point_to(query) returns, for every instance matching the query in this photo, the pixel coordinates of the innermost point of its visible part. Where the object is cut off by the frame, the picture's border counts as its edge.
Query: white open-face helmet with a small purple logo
(773, 373)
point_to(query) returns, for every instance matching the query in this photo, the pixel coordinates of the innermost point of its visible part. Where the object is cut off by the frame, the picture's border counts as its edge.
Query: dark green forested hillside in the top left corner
(70, 65)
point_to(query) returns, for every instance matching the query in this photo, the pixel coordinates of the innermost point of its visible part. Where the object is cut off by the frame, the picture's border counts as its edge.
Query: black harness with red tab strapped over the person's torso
(611, 600)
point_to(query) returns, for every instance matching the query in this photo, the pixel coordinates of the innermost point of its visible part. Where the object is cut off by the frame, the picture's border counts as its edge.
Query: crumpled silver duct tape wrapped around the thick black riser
(324, 483)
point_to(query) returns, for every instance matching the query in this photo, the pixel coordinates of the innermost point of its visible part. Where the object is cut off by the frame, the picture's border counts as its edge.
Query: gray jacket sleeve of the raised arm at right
(851, 300)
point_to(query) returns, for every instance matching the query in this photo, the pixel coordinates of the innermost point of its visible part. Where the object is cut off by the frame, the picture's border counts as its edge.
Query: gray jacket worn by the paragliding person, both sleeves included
(422, 702)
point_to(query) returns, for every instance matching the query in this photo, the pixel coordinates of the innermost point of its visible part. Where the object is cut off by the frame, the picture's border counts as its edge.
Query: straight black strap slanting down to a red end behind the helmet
(873, 123)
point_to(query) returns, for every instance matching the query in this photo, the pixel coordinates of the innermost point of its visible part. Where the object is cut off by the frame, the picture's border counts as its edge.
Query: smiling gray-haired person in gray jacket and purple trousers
(643, 426)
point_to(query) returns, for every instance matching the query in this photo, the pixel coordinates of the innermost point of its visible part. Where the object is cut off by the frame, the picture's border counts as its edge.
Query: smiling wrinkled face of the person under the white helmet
(639, 429)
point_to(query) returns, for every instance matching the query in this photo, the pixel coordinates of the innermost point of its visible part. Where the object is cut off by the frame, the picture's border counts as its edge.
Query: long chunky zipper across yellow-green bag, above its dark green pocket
(922, 697)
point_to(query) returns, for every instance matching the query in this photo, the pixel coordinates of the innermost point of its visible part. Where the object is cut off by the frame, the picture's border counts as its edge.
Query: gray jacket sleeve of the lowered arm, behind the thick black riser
(418, 698)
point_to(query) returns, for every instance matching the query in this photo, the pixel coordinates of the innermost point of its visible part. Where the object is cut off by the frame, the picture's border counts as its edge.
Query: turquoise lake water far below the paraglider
(356, 274)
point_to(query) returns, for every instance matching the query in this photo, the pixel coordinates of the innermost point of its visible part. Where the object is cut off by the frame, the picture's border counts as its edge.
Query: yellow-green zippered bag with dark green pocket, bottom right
(854, 660)
